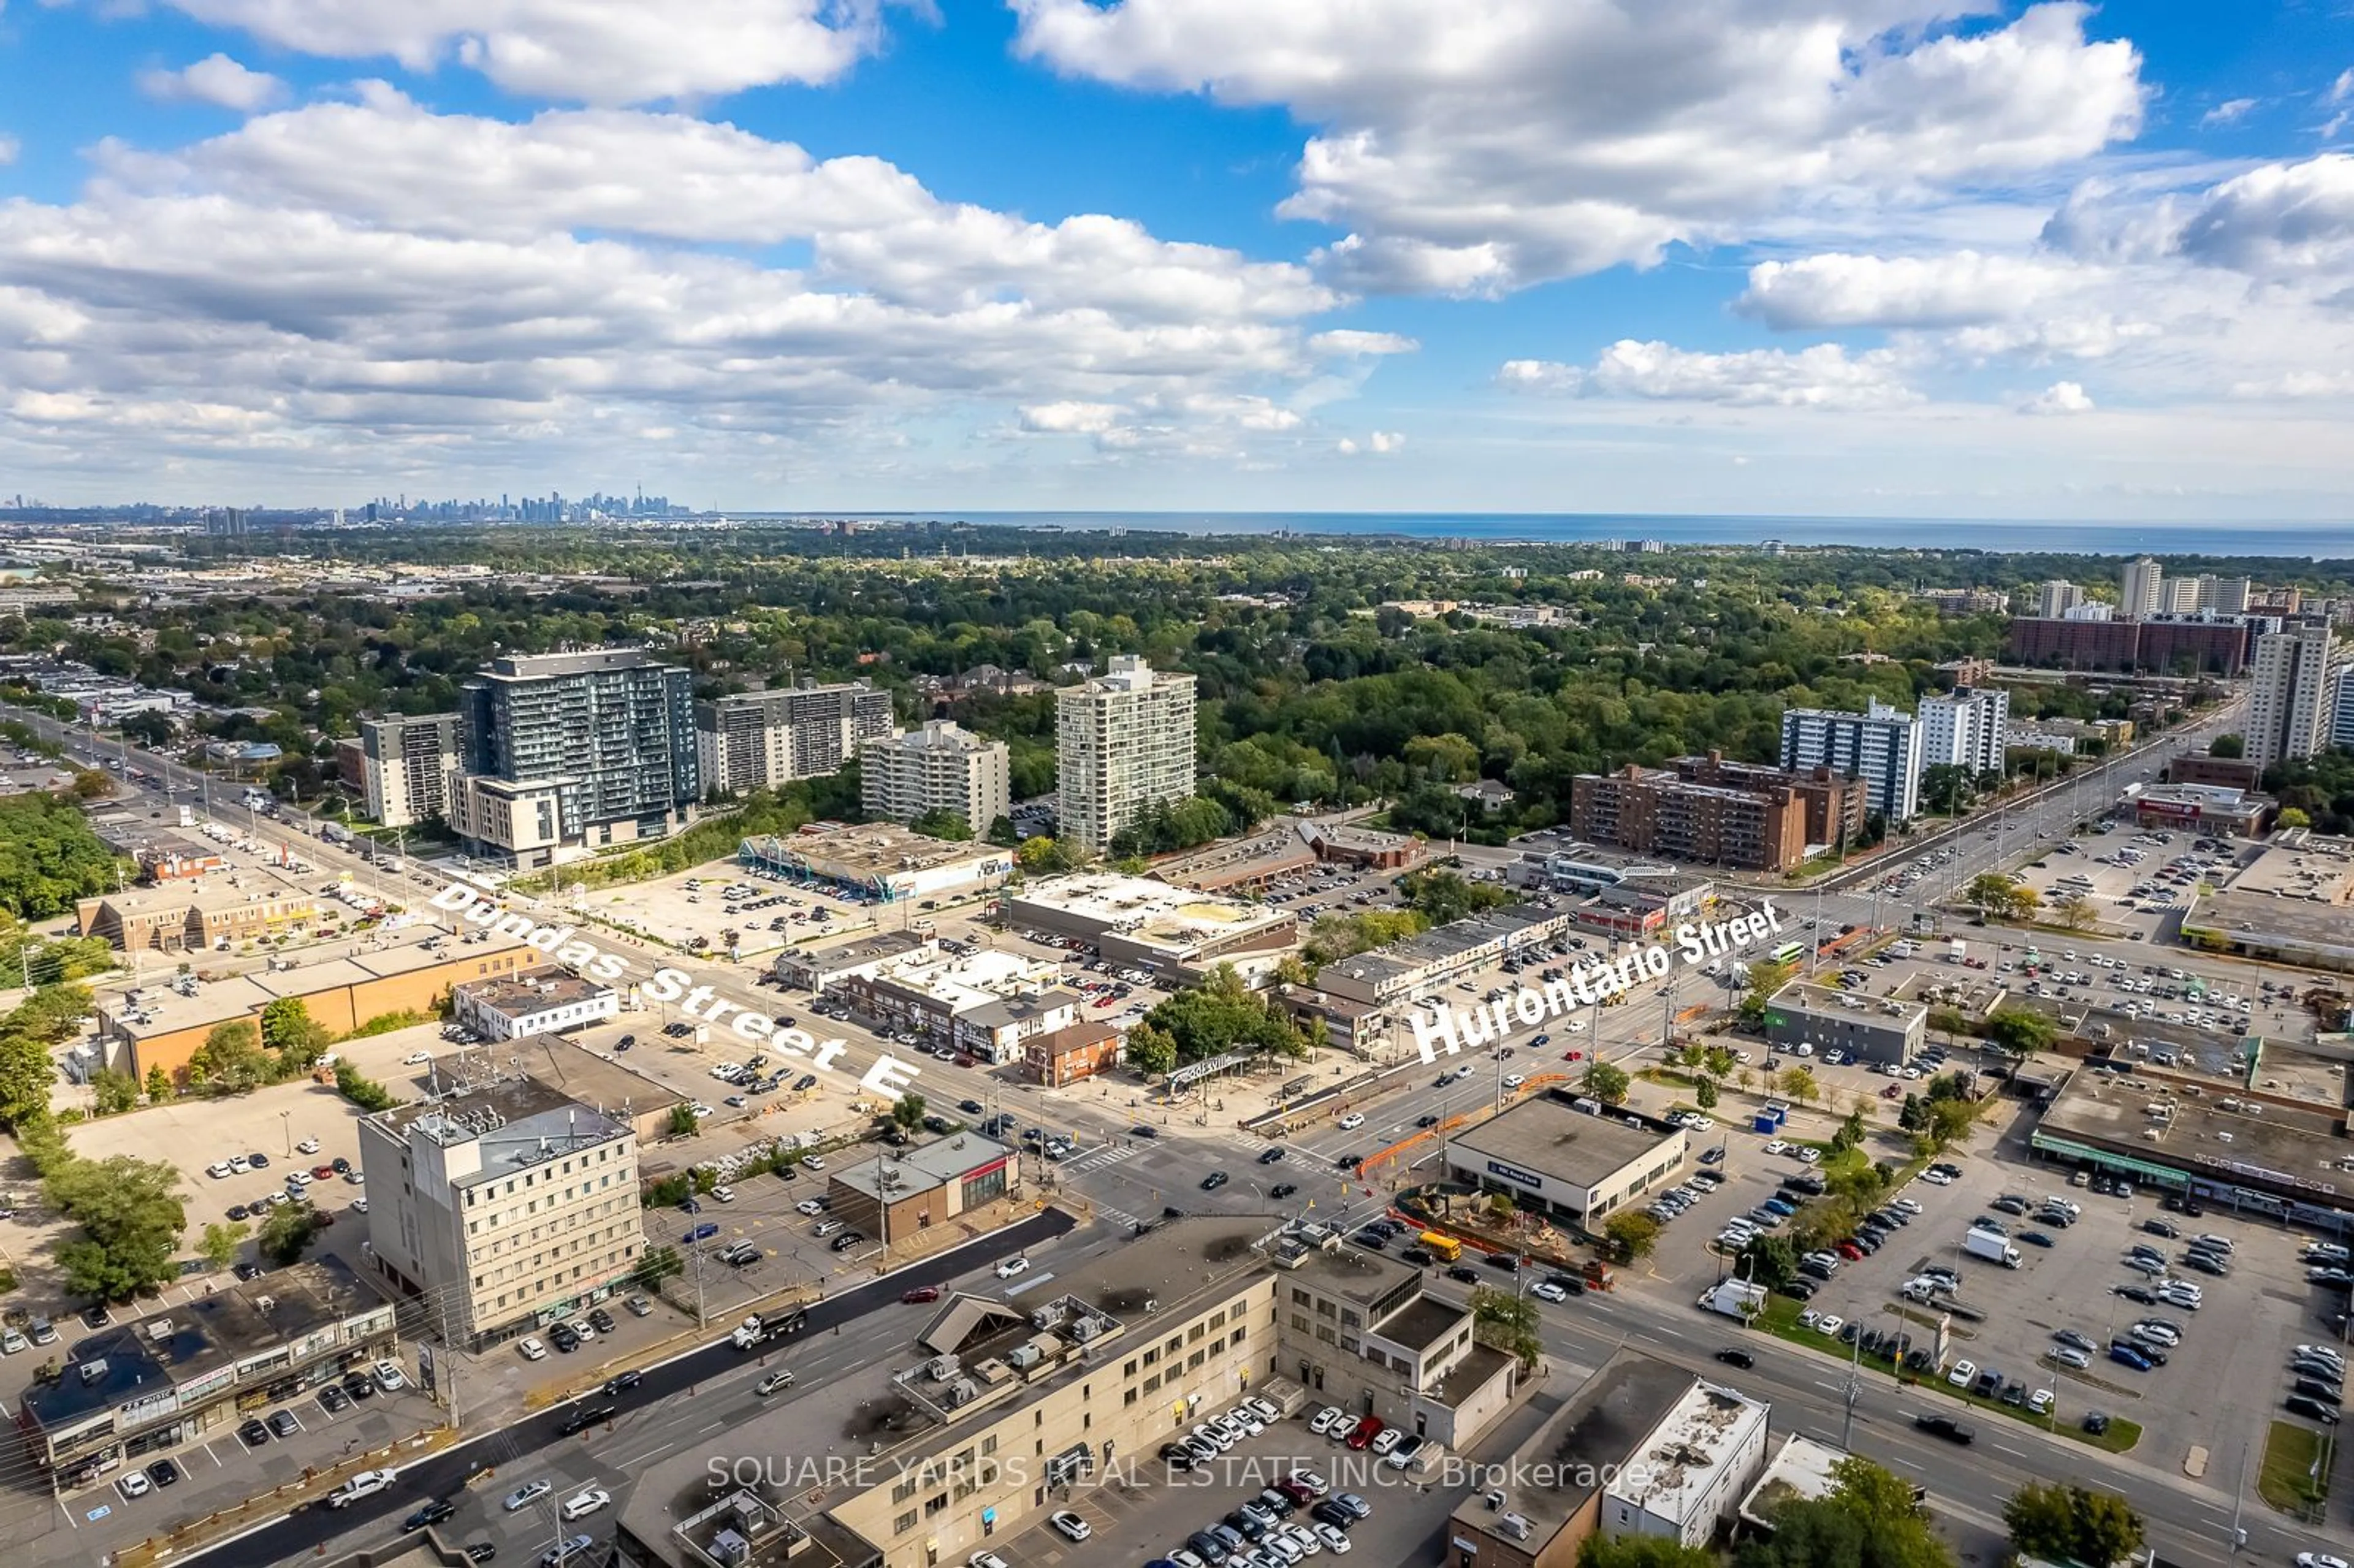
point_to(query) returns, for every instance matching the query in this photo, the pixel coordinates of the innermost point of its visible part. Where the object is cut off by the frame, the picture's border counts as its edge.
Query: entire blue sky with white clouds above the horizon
(1887, 258)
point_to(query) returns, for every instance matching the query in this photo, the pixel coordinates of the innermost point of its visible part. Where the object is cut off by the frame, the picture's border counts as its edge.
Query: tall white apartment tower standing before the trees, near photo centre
(1122, 743)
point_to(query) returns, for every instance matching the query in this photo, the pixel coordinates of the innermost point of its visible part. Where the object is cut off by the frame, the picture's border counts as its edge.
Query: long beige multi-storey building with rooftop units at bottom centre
(1013, 1400)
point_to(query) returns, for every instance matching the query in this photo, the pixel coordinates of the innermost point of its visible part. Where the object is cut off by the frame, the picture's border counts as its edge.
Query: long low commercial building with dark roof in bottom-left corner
(185, 1371)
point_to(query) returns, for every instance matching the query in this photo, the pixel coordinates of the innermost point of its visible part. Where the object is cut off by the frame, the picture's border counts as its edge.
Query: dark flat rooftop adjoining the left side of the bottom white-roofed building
(1560, 1470)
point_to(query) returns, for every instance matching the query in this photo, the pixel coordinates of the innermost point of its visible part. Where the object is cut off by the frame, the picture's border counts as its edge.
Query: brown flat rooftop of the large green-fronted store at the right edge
(2200, 1134)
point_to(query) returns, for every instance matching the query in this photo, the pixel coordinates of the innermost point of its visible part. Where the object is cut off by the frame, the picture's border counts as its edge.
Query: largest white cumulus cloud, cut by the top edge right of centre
(1491, 145)
